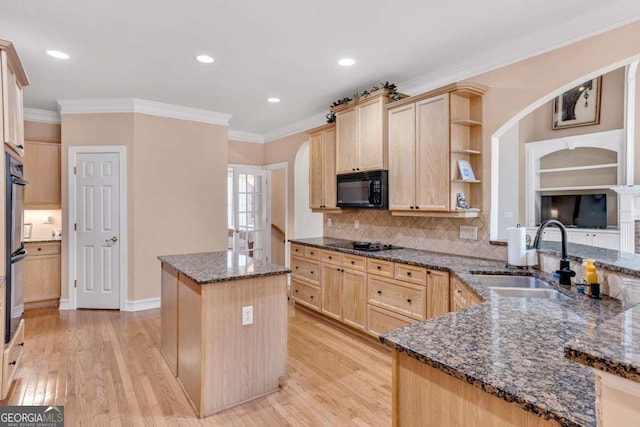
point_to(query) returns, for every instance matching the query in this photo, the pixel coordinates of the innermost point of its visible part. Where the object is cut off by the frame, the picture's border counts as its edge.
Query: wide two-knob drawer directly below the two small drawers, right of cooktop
(403, 298)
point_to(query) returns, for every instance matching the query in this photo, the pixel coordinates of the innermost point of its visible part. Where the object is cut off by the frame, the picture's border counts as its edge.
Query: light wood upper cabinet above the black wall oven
(13, 80)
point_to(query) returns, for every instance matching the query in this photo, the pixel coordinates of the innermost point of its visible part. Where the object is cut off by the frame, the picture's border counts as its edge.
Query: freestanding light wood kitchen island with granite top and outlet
(224, 327)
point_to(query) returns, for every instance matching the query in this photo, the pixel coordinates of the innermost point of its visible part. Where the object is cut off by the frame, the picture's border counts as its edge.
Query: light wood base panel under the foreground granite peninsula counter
(426, 397)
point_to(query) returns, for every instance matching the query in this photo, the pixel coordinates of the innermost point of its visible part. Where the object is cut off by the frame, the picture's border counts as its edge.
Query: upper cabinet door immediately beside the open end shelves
(432, 154)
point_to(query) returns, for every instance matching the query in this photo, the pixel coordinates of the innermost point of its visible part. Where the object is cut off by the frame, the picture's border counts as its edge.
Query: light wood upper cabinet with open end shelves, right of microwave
(430, 137)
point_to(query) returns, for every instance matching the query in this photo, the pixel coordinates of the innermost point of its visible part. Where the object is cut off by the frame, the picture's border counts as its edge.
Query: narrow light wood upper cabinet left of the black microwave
(322, 168)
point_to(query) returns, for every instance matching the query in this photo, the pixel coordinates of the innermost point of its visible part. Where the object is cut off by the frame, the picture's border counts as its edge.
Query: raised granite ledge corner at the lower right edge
(613, 347)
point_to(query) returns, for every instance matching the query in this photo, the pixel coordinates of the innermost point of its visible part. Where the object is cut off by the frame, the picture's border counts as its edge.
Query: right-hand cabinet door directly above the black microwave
(371, 137)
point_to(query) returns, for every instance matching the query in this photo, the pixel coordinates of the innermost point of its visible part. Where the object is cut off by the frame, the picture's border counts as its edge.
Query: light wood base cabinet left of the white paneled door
(42, 275)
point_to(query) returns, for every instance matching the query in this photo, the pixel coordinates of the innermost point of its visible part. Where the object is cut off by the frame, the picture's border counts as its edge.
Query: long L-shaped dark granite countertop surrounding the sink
(512, 348)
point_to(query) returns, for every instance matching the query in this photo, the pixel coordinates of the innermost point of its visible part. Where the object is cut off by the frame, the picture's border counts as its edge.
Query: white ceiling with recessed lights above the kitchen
(283, 48)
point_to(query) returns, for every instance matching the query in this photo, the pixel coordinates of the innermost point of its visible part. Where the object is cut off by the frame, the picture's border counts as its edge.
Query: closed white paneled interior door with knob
(97, 213)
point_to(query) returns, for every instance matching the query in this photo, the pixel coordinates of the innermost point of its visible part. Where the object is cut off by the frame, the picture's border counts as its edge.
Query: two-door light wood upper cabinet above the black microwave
(361, 129)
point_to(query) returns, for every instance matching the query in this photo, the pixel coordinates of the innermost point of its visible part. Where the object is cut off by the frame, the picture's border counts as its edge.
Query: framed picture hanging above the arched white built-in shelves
(579, 106)
